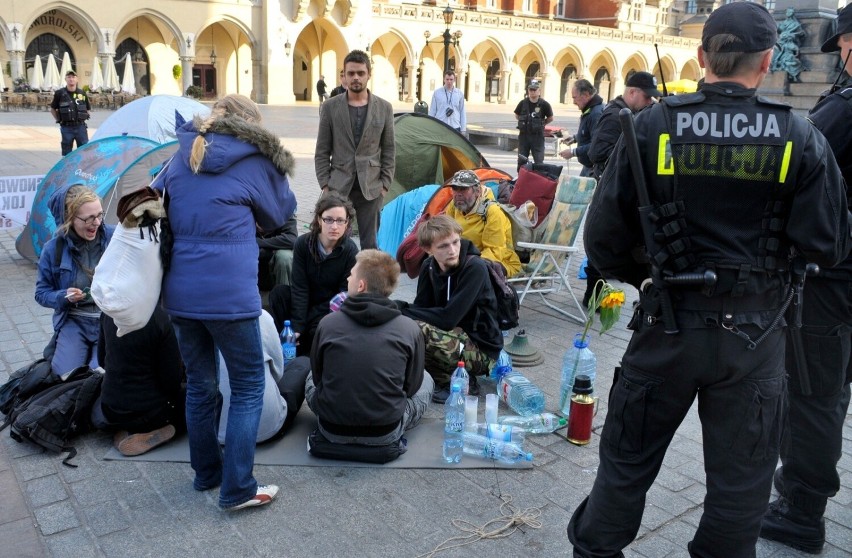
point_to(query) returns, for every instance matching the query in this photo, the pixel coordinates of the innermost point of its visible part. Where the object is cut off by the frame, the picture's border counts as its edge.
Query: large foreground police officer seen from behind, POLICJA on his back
(736, 181)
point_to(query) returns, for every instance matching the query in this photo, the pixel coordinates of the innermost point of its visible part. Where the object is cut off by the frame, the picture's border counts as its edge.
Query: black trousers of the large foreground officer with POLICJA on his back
(741, 395)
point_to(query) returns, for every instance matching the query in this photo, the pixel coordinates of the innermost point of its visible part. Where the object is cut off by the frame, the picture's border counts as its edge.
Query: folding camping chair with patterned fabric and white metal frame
(551, 252)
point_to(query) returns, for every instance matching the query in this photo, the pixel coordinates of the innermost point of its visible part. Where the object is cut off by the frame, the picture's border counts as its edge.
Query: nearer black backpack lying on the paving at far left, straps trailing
(52, 417)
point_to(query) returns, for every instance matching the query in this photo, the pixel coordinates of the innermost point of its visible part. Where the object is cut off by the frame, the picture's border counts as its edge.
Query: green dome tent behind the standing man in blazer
(428, 152)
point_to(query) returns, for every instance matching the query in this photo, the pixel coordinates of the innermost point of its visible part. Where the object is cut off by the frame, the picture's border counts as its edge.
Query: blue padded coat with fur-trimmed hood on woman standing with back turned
(214, 215)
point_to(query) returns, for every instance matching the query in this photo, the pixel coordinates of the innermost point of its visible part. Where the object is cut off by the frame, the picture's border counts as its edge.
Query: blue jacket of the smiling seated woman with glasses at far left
(53, 280)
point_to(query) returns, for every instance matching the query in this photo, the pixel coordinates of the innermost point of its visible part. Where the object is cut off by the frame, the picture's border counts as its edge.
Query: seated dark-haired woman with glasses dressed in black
(322, 260)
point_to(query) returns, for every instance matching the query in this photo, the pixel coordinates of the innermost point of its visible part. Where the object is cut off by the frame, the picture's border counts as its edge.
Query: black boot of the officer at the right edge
(788, 525)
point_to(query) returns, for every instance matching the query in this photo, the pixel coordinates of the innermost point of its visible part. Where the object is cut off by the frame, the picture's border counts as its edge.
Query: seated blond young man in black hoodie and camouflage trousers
(455, 305)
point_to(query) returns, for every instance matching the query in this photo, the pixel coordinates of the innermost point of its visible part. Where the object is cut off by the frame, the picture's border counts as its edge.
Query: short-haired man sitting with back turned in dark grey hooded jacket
(367, 384)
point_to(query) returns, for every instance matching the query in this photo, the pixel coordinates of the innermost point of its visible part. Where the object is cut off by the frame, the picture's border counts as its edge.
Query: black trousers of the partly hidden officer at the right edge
(813, 429)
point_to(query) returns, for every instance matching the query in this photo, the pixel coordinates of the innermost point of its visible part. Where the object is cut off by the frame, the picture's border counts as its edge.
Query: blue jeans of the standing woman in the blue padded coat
(240, 344)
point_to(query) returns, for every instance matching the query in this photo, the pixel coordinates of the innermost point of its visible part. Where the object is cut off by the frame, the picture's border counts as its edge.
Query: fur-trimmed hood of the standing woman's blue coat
(230, 139)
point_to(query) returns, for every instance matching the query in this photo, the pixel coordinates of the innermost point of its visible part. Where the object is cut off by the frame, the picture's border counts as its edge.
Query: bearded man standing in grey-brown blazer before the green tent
(355, 153)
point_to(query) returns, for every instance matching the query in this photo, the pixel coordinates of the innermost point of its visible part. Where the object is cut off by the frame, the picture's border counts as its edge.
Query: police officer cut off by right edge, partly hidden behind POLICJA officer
(818, 391)
